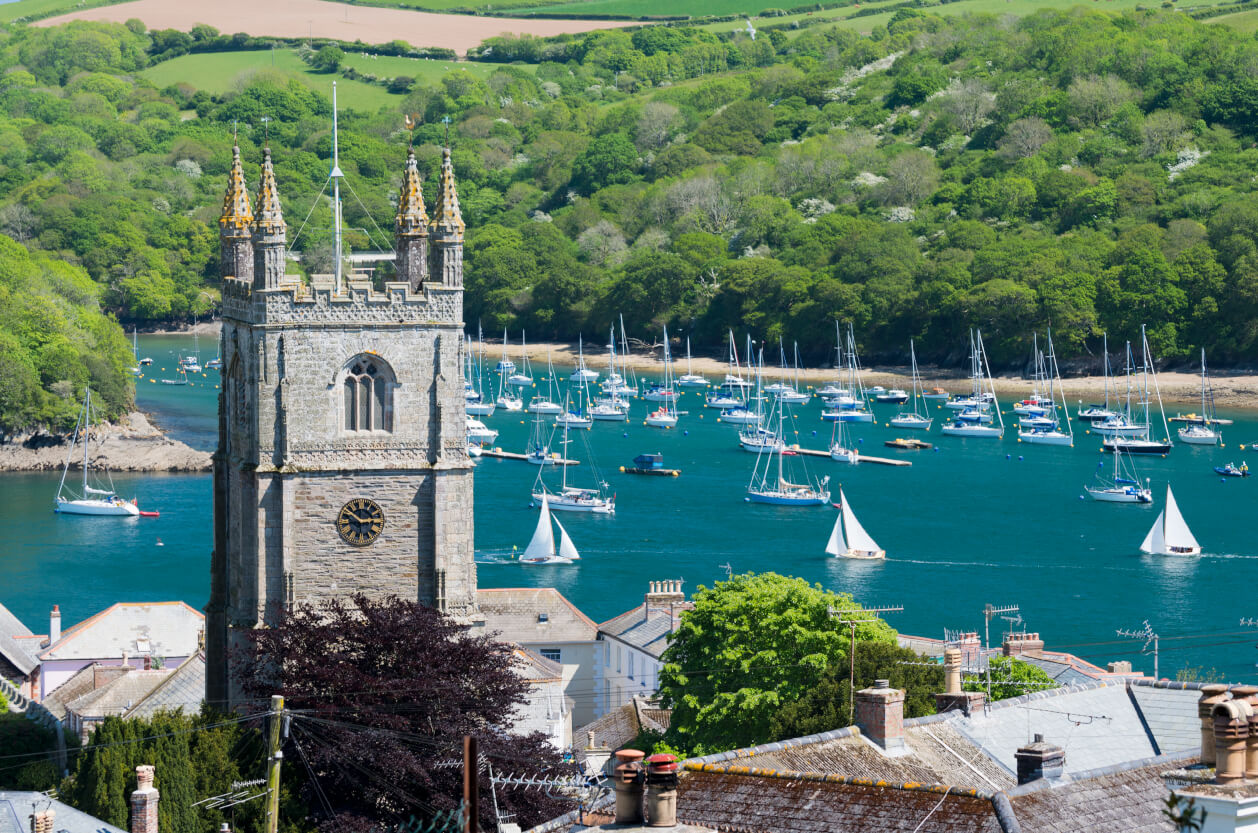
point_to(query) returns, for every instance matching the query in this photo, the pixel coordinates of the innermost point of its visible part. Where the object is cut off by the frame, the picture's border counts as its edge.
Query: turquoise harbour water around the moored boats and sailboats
(976, 523)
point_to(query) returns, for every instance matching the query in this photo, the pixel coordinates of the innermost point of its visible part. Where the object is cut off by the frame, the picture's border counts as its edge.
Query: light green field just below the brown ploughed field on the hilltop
(218, 72)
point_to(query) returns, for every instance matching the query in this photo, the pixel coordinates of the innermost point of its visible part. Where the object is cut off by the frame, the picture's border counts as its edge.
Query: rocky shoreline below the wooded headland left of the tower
(131, 445)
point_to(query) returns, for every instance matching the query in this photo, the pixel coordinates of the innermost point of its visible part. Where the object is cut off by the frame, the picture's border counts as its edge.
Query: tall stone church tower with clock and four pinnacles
(343, 456)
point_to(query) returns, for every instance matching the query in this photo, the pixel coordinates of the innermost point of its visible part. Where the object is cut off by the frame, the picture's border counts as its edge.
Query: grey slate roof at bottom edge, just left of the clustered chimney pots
(1128, 800)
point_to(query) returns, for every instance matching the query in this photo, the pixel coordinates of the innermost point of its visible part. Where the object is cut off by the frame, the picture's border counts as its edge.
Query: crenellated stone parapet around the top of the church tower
(359, 304)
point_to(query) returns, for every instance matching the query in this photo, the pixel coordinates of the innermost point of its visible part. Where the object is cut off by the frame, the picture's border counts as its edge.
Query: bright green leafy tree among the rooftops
(750, 647)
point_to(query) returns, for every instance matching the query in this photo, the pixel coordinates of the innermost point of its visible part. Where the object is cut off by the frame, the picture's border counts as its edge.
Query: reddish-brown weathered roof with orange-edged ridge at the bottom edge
(783, 802)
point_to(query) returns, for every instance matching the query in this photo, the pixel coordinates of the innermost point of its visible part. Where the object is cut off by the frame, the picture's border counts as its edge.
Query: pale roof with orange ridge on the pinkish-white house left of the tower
(158, 629)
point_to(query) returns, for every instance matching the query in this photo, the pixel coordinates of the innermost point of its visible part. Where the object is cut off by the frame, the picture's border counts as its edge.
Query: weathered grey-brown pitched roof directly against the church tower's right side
(513, 613)
